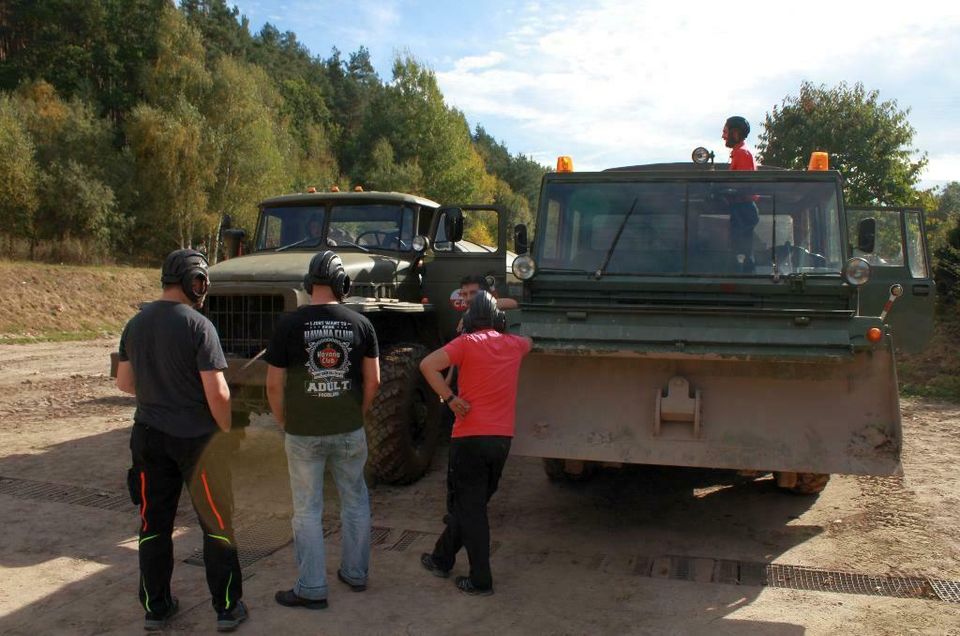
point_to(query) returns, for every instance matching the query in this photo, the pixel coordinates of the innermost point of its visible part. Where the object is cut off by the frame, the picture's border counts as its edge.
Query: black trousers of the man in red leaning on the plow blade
(473, 474)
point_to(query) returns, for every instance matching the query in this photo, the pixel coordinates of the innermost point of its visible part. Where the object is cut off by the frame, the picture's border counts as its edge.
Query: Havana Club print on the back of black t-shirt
(328, 345)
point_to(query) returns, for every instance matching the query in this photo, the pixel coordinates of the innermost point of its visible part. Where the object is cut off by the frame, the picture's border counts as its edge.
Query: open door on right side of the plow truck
(899, 256)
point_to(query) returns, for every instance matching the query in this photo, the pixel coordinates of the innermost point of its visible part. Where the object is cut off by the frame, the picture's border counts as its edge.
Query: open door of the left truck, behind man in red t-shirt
(481, 251)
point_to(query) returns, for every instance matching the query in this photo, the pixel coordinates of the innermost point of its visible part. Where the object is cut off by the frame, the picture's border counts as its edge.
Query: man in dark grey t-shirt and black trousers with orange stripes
(170, 359)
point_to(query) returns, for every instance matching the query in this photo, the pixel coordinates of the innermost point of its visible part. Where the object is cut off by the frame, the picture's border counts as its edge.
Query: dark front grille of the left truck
(245, 323)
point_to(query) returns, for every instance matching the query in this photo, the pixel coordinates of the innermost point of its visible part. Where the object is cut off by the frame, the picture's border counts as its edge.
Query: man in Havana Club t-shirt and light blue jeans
(322, 377)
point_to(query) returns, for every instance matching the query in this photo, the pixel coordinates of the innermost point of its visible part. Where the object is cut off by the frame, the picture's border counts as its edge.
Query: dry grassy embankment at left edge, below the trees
(40, 302)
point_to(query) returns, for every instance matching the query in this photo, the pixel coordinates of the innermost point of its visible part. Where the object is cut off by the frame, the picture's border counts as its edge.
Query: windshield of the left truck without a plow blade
(370, 226)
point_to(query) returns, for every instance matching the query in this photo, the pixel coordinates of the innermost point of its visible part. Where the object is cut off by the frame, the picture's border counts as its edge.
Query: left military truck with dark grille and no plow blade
(405, 256)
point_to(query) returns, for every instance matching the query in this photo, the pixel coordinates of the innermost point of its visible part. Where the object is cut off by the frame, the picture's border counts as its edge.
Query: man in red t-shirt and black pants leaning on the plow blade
(489, 362)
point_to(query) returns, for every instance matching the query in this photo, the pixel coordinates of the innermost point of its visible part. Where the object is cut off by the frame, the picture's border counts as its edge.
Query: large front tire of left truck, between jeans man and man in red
(403, 427)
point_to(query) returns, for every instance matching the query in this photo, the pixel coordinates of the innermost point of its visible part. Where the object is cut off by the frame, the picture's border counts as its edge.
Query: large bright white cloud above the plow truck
(621, 83)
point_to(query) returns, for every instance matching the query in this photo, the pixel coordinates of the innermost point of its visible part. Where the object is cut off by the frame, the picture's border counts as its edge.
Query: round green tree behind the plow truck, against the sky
(869, 140)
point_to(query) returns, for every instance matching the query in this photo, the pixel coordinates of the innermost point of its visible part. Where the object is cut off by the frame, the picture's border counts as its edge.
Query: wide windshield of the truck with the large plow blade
(703, 228)
